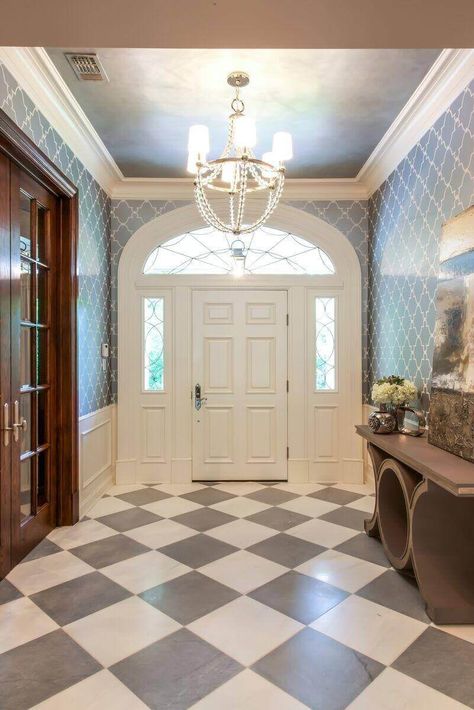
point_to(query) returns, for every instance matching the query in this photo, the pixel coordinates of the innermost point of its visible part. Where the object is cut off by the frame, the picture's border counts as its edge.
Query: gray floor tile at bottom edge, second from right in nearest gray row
(318, 671)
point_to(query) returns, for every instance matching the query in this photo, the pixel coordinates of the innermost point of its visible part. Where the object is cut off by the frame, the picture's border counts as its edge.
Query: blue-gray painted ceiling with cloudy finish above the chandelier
(337, 103)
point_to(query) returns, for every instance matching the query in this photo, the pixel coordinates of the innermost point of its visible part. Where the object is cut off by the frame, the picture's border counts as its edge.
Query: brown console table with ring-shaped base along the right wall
(424, 517)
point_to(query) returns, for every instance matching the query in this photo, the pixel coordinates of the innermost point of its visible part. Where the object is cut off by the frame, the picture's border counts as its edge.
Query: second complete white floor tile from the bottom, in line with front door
(243, 571)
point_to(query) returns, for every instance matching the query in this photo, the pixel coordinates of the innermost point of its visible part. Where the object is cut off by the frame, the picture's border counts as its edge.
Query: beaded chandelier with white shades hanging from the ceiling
(237, 172)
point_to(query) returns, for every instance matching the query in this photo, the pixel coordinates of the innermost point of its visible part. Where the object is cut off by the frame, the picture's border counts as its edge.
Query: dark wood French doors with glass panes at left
(29, 372)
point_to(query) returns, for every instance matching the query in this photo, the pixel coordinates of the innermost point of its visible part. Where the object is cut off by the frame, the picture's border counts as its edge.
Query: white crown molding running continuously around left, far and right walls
(37, 75)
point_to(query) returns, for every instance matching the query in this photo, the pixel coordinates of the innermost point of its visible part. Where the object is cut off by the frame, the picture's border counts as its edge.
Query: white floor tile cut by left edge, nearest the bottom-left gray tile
(22, 621)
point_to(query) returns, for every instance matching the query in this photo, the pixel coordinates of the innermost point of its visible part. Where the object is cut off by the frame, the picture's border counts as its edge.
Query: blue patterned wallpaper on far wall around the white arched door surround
(347, 216)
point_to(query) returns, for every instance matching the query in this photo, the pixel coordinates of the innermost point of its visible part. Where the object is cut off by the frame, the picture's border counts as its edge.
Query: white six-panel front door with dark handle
(240, 365)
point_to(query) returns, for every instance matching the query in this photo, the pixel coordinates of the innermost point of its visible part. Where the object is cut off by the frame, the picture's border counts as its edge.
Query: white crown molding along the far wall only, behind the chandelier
(182, 189)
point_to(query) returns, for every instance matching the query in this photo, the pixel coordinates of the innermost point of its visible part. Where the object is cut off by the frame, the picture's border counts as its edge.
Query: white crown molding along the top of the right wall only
(450, 74)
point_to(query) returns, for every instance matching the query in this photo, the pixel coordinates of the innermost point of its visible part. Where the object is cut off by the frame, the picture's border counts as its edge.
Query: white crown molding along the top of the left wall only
(37, 75)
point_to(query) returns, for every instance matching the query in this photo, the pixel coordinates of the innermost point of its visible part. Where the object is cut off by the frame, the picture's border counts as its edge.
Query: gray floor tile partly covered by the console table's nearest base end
(398, 592)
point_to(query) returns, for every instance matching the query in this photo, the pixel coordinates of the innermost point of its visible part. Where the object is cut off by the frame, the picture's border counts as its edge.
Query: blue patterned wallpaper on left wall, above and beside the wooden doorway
(93, 249)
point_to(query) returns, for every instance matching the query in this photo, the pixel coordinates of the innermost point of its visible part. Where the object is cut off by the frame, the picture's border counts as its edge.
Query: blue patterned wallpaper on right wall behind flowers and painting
(432, 184)
